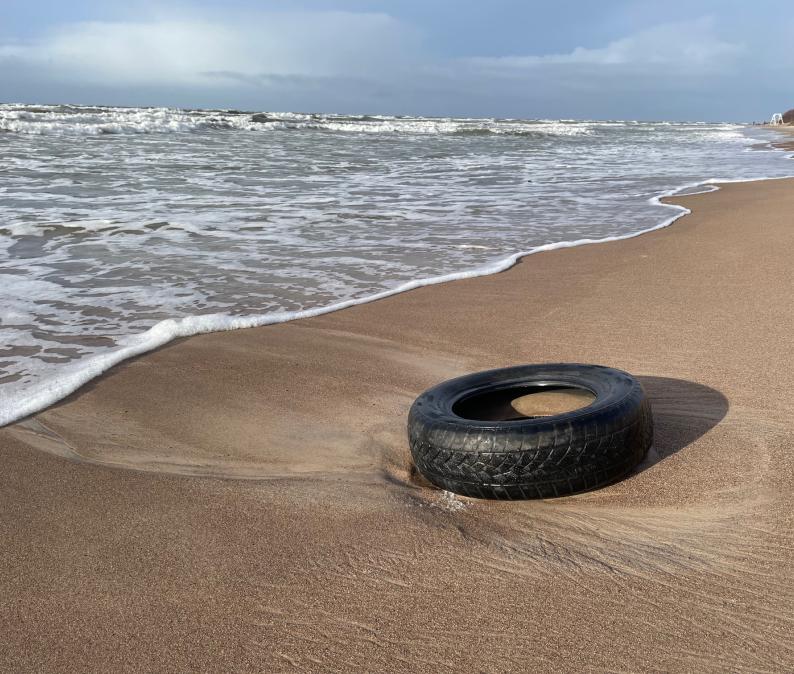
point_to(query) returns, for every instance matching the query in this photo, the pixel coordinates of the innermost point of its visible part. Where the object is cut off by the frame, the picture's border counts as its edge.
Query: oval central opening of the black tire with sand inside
(527, 401)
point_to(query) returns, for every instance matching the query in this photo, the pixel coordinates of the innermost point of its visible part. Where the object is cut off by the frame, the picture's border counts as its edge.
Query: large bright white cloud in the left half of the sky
(190, 51)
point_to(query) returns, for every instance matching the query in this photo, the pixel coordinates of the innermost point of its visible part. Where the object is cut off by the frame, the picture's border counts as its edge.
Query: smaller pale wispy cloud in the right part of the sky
(690, 47)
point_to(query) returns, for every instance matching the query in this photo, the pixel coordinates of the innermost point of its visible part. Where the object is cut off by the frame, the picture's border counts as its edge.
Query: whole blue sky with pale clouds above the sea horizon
(600, 59)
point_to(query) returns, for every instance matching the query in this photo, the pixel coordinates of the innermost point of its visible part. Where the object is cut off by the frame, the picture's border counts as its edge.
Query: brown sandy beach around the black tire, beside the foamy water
(306, 544)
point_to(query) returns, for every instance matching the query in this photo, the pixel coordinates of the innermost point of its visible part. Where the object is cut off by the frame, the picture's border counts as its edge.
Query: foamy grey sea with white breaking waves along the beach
(124, 228)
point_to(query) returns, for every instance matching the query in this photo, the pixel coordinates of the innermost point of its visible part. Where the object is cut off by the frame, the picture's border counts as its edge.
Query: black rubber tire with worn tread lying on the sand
(539, 457)
